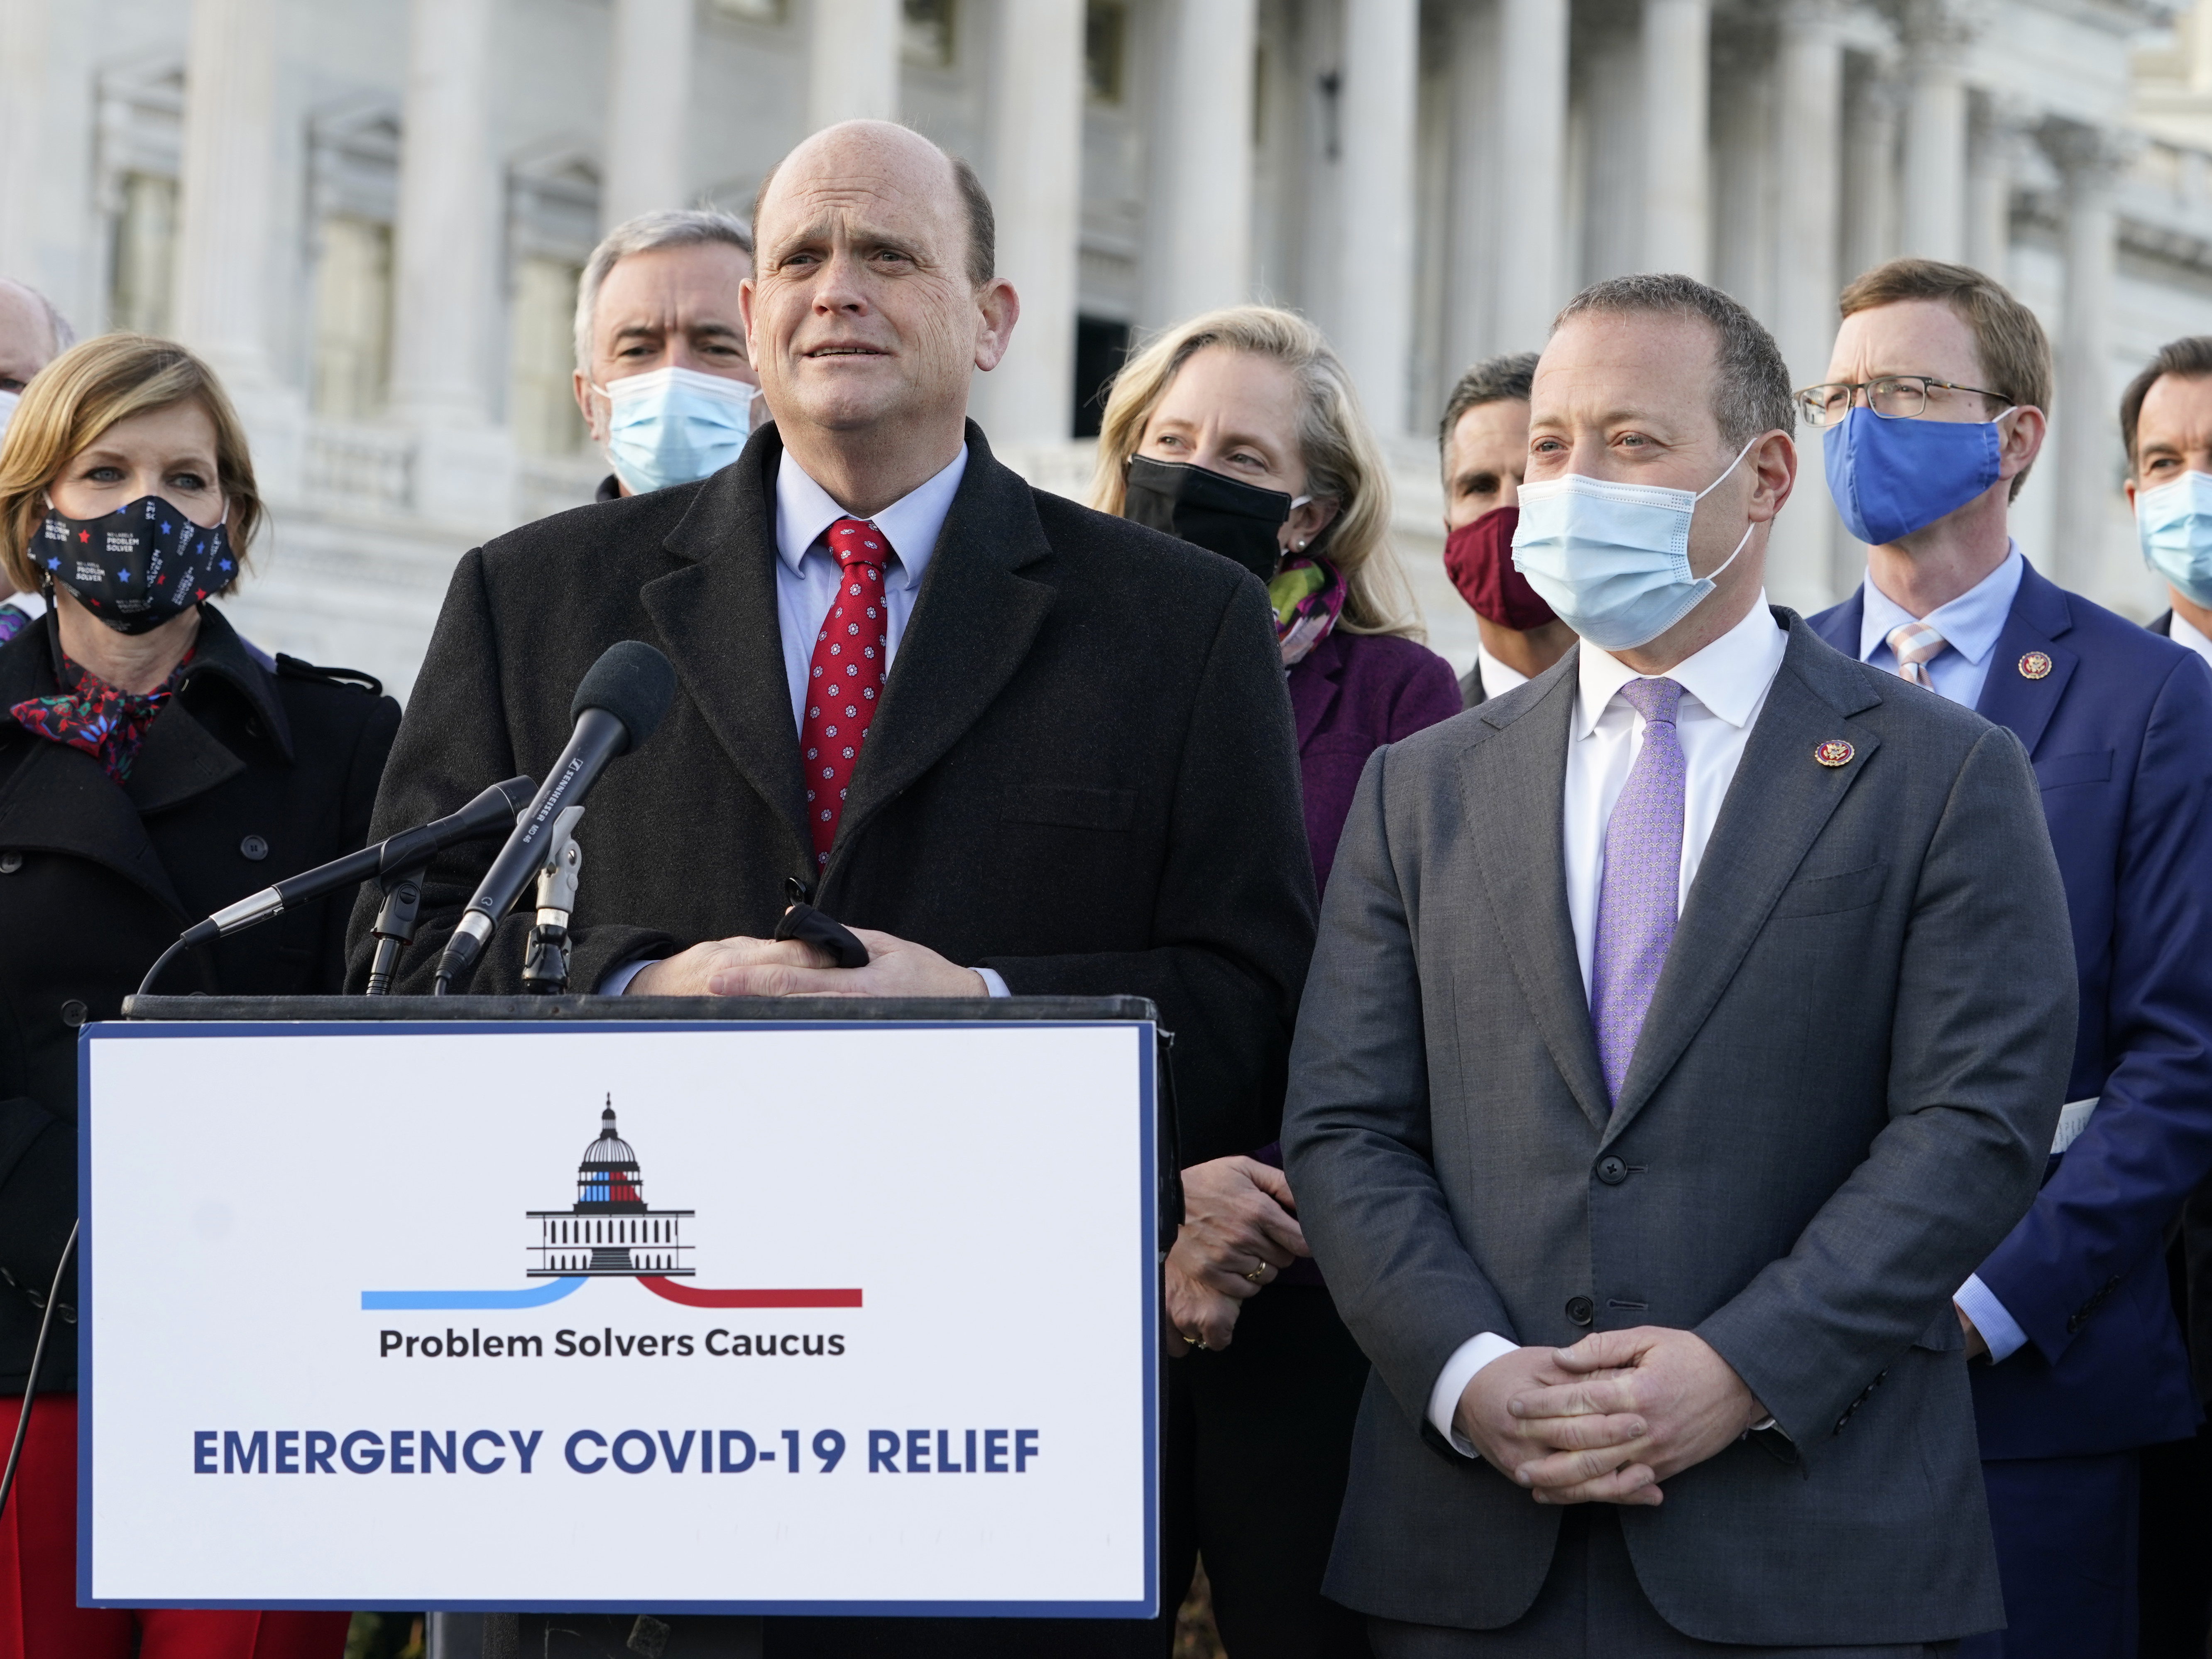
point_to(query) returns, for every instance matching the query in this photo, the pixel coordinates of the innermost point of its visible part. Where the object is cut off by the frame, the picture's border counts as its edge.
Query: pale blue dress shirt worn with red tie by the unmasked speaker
(806, 587)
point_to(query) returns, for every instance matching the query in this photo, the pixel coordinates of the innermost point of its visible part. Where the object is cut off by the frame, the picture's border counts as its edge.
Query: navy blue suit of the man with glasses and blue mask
(2120, 731)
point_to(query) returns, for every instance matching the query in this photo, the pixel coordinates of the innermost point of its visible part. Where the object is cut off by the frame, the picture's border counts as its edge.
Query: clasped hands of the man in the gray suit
(1607, 1419)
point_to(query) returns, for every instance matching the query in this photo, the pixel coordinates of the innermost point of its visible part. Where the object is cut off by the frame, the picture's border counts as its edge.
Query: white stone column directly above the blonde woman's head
(1200, 233)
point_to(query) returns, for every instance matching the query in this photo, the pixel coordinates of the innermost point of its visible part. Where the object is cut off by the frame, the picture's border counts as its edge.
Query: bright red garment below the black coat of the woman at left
(39, 1576)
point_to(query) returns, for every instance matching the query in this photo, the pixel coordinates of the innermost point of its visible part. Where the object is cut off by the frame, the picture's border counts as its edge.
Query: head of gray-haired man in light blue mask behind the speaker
(660, 348)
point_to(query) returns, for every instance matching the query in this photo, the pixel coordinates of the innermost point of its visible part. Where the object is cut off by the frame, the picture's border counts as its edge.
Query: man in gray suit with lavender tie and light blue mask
(1684, 1030)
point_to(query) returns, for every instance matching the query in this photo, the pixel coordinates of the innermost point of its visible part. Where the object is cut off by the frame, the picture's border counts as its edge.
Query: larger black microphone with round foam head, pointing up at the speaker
(616, 709)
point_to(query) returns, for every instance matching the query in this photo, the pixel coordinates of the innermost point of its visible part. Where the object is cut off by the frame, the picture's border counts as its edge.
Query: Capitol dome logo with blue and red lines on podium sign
(607, 1233)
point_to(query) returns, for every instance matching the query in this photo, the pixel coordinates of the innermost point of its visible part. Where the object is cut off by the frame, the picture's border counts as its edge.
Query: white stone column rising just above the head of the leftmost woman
(229, 187)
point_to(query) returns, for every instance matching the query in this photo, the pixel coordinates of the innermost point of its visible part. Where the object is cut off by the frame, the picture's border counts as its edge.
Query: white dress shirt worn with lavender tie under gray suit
(1722, 691)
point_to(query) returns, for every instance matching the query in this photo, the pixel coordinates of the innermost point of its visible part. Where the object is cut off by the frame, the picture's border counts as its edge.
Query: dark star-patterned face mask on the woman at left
(136, 567)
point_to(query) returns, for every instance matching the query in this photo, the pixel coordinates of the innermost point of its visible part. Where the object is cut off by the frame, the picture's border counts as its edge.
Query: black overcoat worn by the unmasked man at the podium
(1083, 775)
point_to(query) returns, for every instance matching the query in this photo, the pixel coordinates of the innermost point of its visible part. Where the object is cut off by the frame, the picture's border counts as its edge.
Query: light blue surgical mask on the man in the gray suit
(1614, 561)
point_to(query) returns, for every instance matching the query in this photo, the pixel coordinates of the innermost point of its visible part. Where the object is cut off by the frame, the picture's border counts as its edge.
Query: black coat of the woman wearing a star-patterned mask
(244, 778)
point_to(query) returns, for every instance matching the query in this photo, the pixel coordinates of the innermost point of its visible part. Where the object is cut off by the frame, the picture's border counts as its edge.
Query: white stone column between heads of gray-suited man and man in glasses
(1808, 198)
